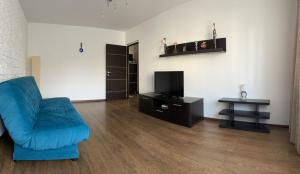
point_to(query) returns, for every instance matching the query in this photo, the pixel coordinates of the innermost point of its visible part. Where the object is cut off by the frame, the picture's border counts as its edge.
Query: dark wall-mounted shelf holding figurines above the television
(191, 48)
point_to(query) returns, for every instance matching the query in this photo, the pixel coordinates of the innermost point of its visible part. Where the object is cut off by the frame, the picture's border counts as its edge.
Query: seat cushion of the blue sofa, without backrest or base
(58, 125)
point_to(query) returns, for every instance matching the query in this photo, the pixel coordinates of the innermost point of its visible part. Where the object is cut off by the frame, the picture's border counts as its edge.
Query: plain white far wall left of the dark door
(65, 71)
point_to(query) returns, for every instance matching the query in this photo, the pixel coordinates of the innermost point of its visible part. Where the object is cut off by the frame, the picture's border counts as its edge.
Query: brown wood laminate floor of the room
(126, 141)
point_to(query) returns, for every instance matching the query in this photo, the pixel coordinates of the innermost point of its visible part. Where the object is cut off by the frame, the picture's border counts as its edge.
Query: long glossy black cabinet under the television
(184, 111)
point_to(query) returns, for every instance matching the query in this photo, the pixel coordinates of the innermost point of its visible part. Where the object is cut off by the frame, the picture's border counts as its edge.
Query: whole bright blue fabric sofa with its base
(42, 129)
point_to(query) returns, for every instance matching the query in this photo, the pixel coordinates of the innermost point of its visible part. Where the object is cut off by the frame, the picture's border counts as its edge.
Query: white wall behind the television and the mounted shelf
(260, 50)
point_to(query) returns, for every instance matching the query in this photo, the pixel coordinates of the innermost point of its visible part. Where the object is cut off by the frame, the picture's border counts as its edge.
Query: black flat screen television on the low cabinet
(170, 83)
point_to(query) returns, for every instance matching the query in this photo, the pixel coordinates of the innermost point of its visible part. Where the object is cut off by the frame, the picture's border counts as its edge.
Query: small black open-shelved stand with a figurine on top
(256, 114)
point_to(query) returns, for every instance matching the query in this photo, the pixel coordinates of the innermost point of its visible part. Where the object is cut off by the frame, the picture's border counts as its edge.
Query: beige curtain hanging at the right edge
(295, 107)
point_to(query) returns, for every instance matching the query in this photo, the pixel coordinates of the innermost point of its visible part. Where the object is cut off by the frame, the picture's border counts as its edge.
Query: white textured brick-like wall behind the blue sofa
(13, 35)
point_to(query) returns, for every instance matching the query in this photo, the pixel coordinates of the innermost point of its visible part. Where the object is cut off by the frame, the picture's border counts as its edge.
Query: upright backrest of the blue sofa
(19, 104)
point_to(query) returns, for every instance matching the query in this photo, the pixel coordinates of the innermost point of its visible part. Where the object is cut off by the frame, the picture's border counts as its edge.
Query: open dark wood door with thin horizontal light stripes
(116, 72)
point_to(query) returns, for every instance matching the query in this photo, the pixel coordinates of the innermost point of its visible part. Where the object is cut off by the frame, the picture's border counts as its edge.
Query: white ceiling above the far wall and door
(95, 13)
